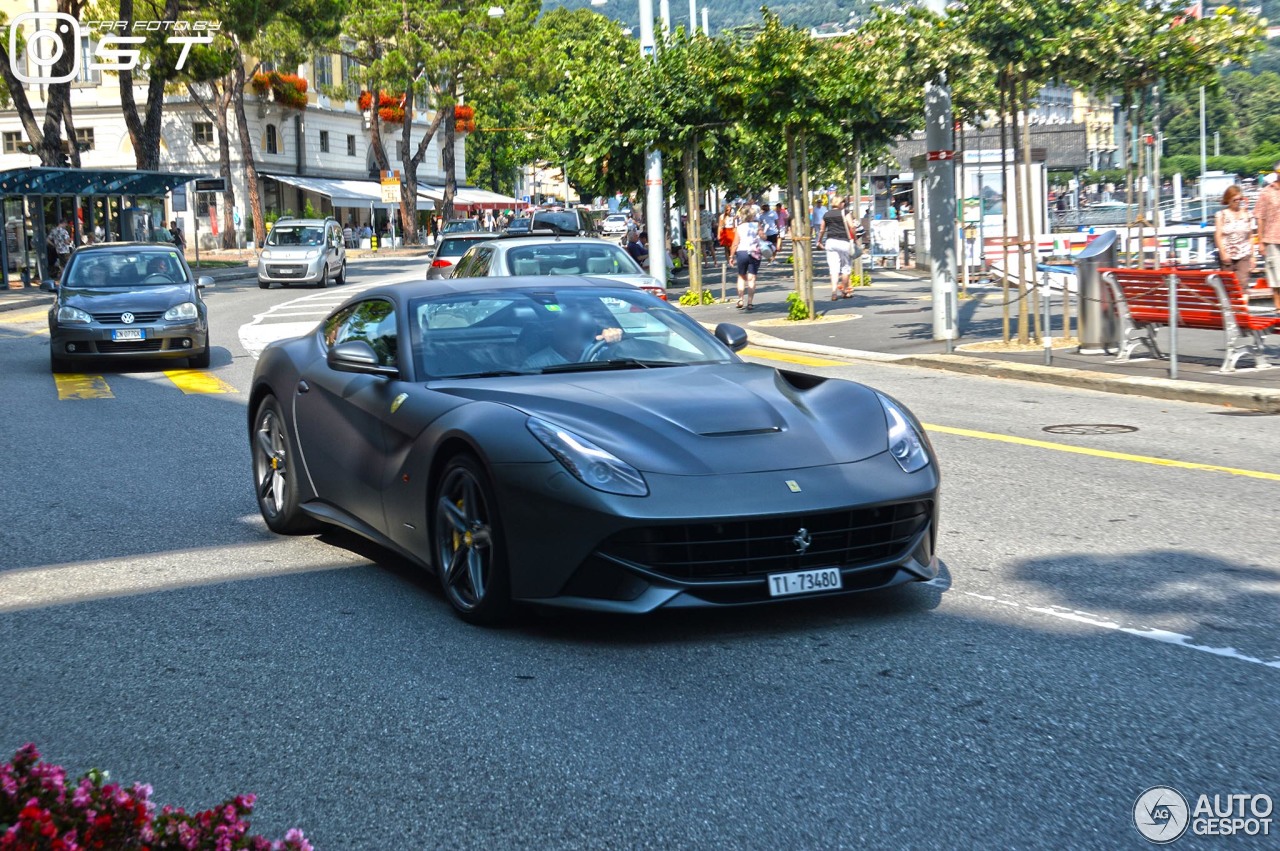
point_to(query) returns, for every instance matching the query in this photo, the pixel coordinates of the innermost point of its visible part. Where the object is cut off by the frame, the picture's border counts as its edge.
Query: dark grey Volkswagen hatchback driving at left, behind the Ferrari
(127, 300)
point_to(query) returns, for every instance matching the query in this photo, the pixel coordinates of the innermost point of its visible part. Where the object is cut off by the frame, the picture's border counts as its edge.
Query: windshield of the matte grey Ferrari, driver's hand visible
(532, 332)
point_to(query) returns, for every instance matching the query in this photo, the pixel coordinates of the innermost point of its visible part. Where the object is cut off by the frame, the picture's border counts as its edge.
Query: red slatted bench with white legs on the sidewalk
(1206, 300)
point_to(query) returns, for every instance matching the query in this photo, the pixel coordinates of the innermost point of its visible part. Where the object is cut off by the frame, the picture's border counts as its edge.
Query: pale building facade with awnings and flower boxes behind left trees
(327, 140)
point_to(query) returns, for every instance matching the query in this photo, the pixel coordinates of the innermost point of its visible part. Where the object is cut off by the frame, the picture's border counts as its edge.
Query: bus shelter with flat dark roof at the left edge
(103, 205)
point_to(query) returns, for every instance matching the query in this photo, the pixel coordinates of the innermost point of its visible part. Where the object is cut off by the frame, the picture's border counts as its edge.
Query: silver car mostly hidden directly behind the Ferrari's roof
(555, 257)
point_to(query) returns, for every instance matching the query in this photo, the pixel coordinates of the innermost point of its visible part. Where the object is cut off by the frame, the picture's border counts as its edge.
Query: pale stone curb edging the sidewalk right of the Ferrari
(1153, 388)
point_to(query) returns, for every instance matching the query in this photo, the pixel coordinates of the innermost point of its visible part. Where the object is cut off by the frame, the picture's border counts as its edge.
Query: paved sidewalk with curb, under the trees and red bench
(893, 322)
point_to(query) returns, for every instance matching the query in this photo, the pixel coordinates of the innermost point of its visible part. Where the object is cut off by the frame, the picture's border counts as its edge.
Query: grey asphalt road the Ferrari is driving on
(1105, 624)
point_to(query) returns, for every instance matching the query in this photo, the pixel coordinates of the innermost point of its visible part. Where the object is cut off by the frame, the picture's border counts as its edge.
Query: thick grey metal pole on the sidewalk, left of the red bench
(941, 185)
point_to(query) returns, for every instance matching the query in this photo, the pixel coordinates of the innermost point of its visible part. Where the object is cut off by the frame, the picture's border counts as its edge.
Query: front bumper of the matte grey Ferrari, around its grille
(714, 541)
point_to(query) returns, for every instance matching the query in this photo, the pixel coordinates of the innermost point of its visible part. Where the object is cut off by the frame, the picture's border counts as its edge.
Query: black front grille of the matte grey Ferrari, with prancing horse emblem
(737, 548)
